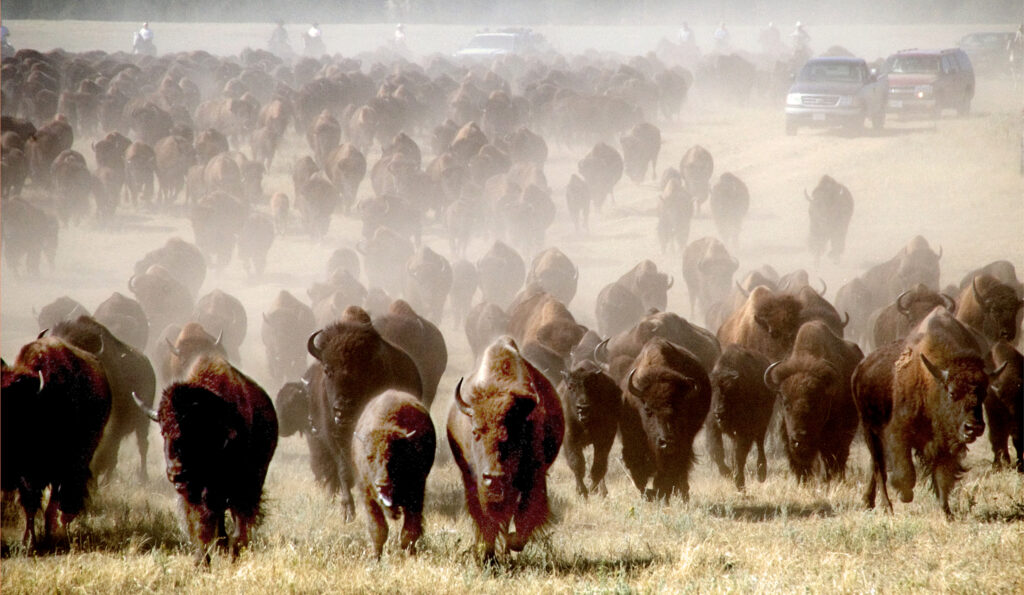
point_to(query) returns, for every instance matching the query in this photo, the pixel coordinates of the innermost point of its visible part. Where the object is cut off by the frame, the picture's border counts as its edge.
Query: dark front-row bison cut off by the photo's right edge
(1003, 406)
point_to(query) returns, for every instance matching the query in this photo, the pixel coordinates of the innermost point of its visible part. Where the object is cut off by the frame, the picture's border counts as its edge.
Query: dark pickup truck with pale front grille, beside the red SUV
(836, 92)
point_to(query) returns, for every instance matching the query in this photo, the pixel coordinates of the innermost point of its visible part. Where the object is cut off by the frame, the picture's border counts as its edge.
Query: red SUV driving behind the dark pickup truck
(930, 81)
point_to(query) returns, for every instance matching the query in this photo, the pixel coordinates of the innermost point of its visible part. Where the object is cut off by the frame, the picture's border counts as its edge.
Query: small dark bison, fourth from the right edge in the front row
(741, 408)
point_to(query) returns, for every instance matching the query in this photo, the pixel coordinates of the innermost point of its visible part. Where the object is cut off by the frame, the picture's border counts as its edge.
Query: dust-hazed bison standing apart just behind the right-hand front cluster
(708, 270)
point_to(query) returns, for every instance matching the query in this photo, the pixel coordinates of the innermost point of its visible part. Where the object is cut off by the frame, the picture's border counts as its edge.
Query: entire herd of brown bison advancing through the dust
(775, 365)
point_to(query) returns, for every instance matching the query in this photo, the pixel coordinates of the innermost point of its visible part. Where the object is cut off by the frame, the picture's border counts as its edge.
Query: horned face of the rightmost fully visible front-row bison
(963, 388)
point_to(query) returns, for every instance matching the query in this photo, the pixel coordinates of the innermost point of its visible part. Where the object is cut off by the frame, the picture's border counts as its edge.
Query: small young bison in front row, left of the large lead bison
(394, 453)
